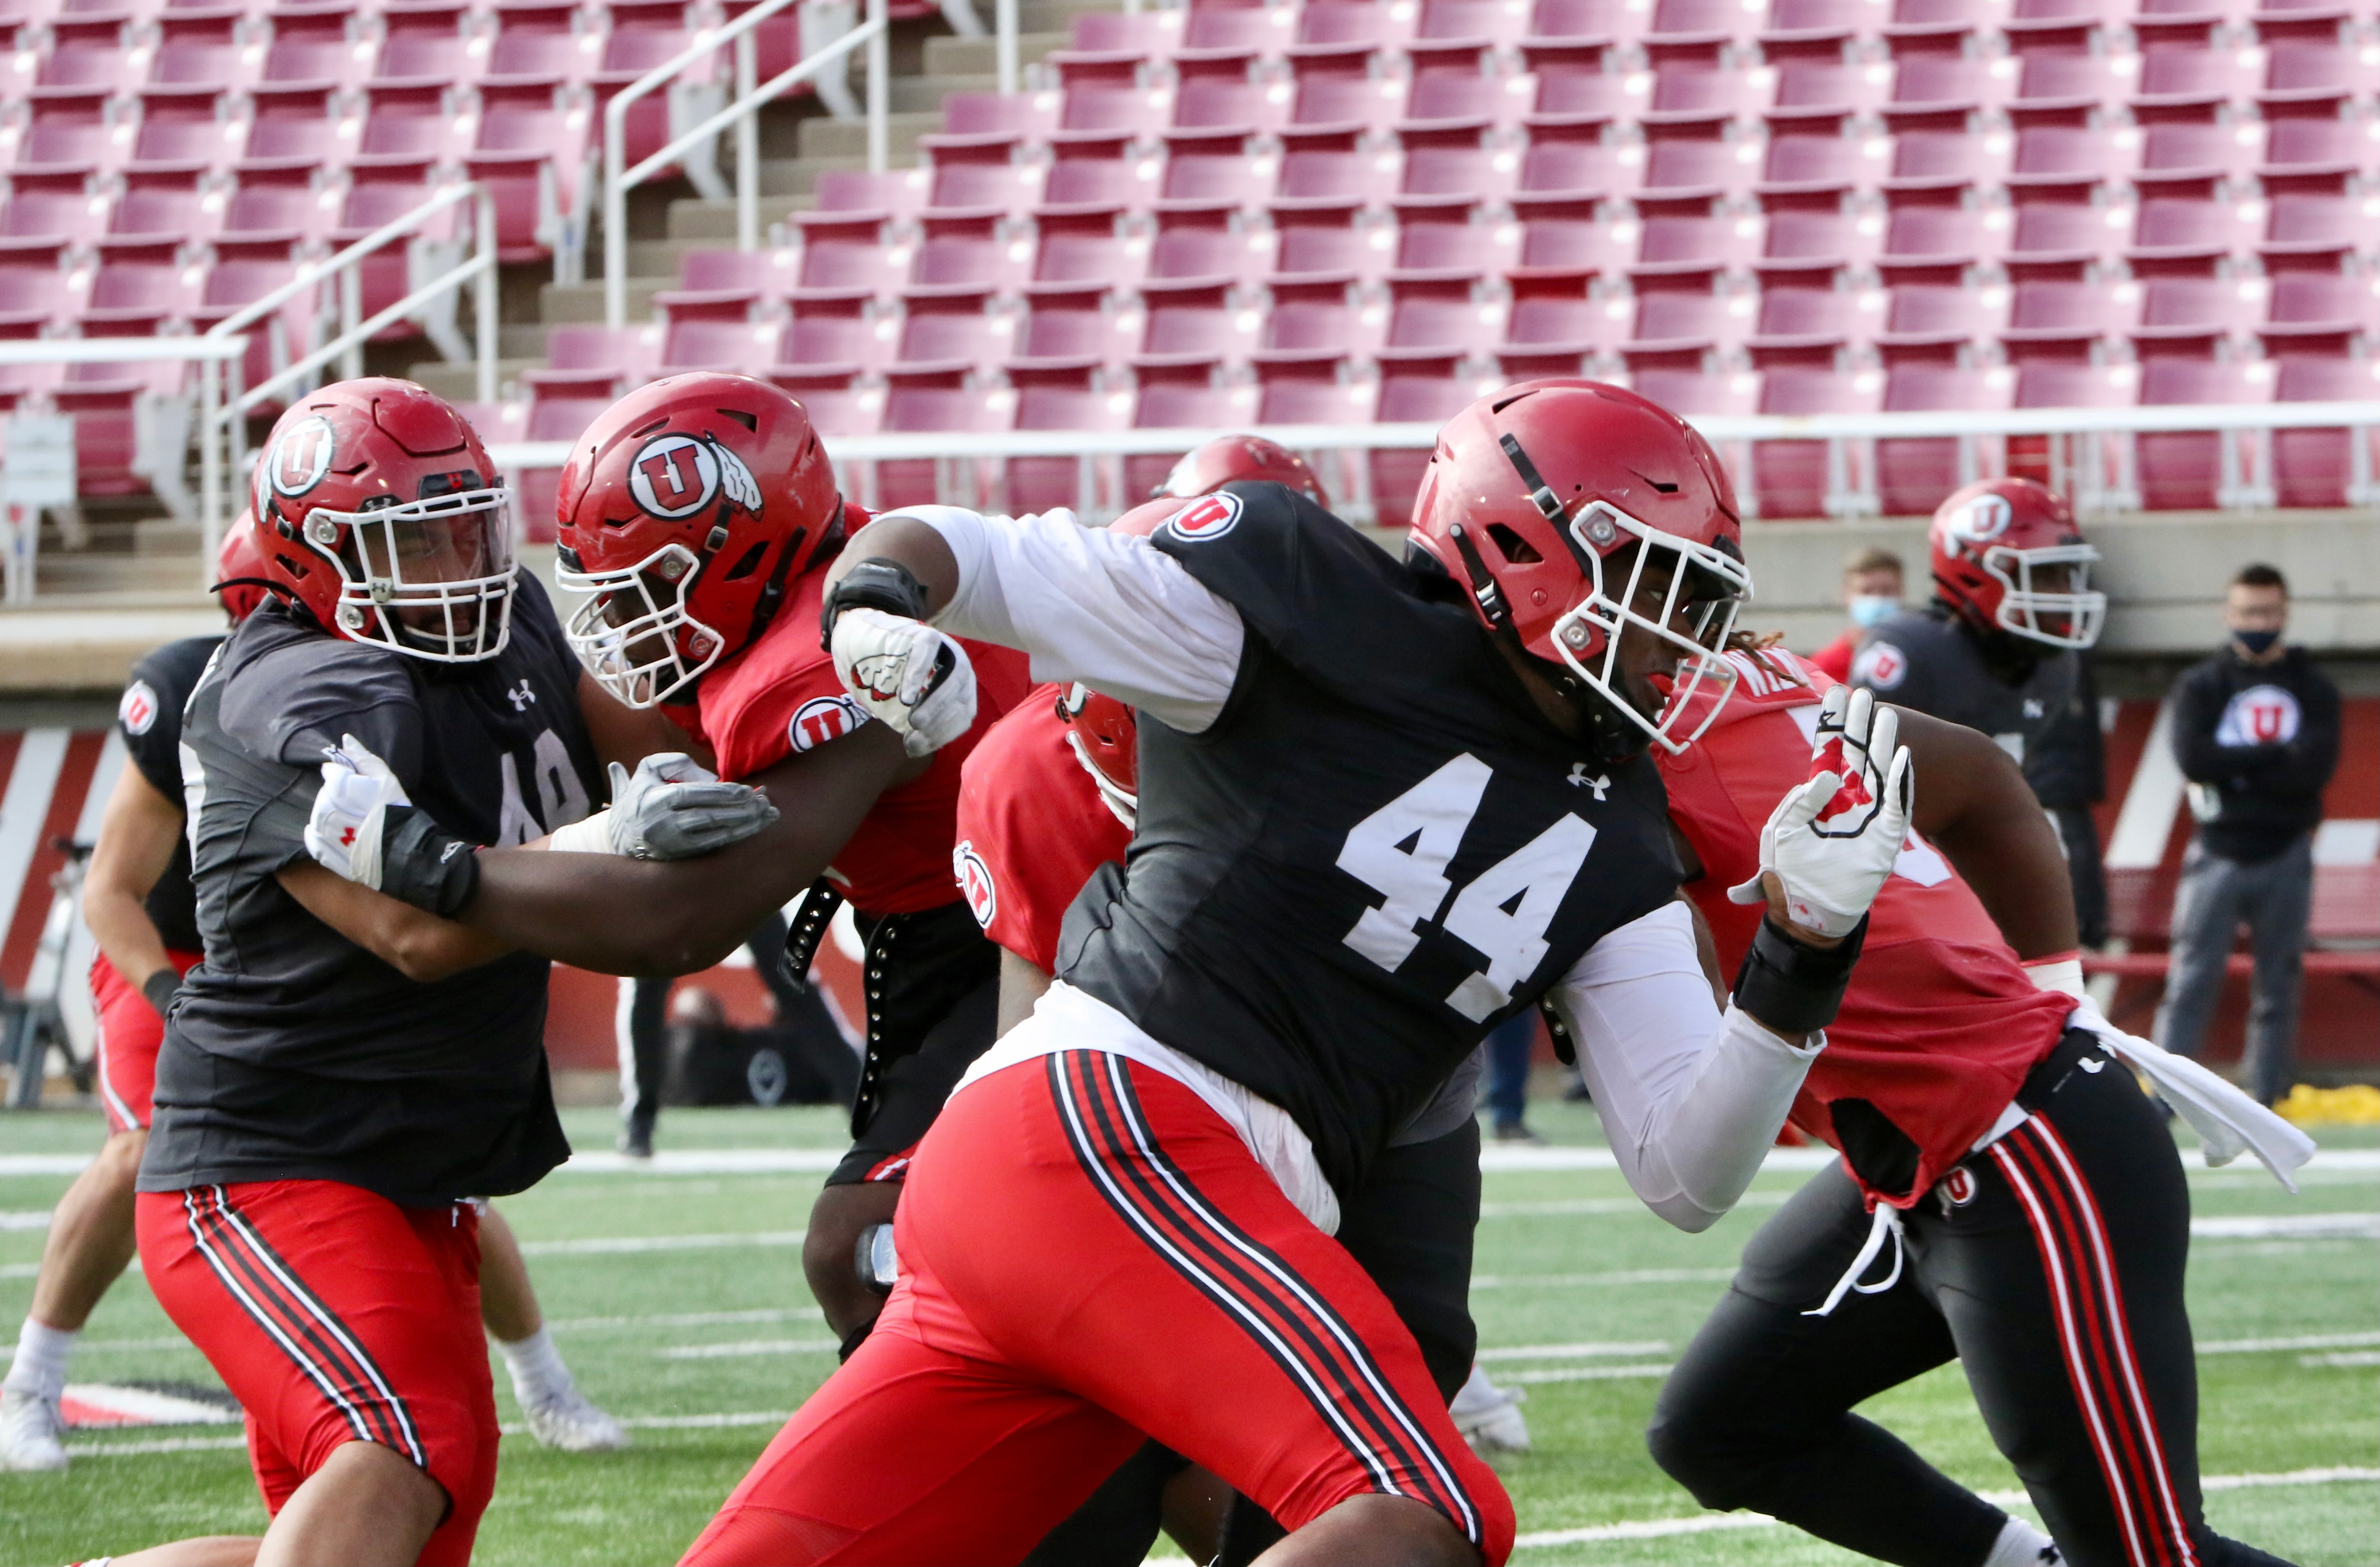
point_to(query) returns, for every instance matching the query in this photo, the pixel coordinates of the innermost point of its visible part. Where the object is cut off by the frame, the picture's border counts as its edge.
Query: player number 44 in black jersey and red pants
(1382, 809)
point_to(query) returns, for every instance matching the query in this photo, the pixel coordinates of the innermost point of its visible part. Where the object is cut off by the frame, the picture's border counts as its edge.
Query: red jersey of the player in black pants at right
(1941, 1023)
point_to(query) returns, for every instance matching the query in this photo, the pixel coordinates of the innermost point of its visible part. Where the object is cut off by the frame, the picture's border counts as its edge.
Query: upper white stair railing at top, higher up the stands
(741, 113)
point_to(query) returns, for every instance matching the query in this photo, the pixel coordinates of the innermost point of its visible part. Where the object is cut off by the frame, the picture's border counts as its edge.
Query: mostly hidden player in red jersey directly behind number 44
(1046, 799)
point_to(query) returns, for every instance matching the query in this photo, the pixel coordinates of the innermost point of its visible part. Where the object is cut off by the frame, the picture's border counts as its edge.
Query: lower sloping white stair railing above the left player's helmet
(223, 427)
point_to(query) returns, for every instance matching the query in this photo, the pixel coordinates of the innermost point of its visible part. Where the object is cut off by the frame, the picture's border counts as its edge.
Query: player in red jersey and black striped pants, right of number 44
(2005, 1199)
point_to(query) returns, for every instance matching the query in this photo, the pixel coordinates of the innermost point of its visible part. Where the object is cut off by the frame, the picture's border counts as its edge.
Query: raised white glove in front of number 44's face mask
(1834, 839)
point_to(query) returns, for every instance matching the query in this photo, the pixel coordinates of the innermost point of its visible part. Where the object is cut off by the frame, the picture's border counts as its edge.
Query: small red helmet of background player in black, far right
(1993, 542)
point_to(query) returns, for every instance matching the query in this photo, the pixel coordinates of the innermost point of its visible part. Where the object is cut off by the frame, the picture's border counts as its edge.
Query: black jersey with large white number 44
(1374, 856)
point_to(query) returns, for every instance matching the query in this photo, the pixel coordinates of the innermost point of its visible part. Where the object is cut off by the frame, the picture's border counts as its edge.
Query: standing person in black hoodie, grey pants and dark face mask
(2257, 735)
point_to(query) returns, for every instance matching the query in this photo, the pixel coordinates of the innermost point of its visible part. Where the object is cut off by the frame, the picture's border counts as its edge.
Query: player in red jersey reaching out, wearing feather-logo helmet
(699, 518)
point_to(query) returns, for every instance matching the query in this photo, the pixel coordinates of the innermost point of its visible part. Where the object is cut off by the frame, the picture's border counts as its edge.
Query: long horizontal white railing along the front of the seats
(1098, 451)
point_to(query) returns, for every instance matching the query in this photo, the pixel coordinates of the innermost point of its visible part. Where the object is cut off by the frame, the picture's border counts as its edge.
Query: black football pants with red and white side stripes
(2050, 1268)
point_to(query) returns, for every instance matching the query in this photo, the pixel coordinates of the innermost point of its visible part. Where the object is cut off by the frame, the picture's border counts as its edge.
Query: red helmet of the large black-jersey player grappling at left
(384, 518)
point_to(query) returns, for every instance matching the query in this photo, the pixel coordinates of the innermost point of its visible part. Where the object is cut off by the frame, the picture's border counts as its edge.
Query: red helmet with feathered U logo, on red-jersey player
(687, 513)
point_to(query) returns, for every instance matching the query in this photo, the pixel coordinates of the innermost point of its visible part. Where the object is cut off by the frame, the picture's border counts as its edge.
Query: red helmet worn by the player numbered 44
(1536, 489)
